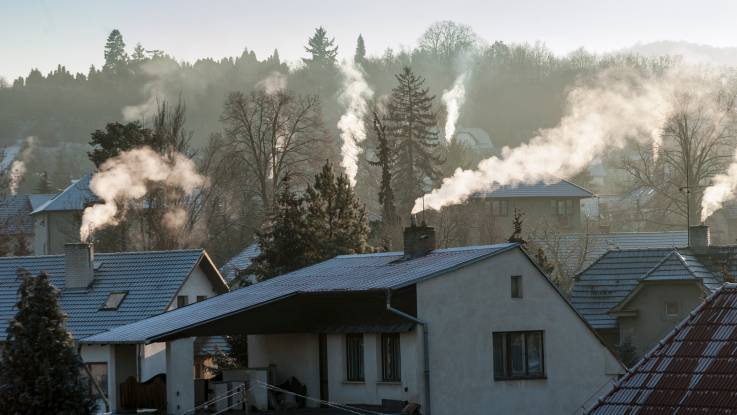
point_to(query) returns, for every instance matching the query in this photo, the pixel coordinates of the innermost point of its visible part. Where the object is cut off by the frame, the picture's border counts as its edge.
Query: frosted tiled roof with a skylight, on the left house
(151, 280)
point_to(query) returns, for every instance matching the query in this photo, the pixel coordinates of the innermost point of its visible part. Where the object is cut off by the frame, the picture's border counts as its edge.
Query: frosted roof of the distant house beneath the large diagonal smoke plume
(556, 189)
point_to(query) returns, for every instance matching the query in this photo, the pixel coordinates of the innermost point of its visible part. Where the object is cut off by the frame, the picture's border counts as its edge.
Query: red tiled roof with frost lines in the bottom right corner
(692, 370)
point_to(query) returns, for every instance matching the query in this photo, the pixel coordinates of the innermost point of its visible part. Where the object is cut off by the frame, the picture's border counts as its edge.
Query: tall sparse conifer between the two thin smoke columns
(412, 123)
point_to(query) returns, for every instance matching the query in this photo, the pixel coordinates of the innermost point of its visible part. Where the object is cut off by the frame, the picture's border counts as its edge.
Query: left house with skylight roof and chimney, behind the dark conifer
(102, 291)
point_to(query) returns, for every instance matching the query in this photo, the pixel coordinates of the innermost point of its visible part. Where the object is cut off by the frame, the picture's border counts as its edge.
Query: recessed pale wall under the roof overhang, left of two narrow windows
(293, 355)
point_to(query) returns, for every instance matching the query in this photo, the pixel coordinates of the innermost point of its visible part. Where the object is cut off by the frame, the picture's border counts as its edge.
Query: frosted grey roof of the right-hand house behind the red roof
(613, 277)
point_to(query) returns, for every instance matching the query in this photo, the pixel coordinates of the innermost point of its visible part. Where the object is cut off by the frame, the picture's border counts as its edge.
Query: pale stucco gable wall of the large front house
(463, 308)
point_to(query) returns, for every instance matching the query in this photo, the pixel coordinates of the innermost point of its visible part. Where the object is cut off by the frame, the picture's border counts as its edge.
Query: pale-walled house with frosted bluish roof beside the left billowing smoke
(57, 221)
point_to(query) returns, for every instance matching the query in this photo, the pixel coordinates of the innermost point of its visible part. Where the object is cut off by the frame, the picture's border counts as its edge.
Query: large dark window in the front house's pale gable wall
(518, 355)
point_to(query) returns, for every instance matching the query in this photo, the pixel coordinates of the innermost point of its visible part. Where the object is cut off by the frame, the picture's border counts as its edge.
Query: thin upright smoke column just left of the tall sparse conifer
(354, 96)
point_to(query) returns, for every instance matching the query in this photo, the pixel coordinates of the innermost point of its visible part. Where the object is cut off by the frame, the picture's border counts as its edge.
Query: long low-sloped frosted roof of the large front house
(346, 273)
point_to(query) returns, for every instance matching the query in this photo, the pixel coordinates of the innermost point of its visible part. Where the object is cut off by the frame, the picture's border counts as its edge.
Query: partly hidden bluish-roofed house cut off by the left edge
(16, 223)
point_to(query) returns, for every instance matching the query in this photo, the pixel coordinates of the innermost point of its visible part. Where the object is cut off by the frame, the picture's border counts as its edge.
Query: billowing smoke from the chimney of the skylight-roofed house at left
(127, 177)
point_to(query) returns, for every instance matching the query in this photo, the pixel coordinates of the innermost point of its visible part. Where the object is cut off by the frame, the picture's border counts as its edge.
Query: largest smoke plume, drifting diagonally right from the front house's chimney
(618, 106)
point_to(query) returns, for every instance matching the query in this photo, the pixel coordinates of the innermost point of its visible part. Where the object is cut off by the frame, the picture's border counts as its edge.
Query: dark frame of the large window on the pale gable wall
(501, 355)
